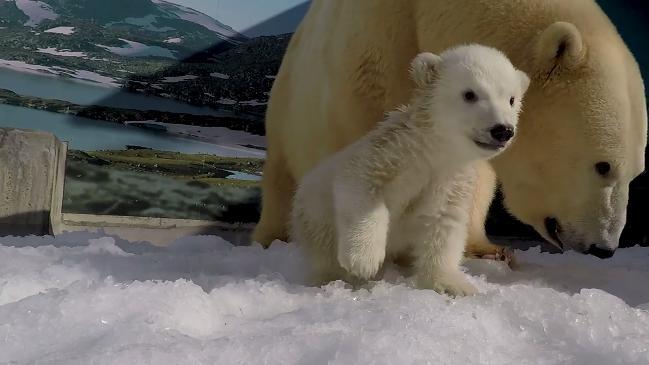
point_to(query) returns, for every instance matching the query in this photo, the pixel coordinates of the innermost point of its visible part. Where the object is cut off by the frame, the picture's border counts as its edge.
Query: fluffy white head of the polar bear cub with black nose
(474, 94)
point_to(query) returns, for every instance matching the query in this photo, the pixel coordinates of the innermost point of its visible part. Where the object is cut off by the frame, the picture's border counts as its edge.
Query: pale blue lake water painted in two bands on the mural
(89, 134)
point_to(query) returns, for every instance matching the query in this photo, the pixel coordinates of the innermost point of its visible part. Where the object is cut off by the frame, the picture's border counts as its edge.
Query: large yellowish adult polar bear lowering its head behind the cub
(582, 132)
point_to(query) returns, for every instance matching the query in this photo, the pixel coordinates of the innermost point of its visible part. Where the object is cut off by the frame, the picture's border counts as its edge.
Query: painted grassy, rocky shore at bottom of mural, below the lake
(149, 183)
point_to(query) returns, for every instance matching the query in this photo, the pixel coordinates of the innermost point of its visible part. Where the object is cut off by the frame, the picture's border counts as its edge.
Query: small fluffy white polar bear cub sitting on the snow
(404, 189)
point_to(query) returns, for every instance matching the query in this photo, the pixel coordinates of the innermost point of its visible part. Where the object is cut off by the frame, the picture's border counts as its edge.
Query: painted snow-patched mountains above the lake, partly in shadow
(148, 46)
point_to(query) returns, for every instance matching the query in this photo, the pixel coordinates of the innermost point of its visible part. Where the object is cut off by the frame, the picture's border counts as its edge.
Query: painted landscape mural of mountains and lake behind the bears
(162, 102)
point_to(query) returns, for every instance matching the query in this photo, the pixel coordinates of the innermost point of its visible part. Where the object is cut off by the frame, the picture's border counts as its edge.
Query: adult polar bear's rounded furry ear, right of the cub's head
(559, 47)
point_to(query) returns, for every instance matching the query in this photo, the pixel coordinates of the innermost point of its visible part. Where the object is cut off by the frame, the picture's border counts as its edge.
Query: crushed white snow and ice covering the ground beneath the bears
(75, 300)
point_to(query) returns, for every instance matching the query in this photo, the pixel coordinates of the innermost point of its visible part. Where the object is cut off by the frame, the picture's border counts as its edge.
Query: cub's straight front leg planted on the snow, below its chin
(441, 235)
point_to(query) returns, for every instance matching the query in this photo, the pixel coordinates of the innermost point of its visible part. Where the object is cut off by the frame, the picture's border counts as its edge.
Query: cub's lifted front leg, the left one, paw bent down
(362, 221)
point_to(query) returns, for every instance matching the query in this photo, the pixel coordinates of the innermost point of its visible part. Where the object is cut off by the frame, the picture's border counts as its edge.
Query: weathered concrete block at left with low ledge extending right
(32, 178)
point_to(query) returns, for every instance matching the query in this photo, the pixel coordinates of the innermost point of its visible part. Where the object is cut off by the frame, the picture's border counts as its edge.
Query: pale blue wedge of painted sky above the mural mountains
(240, 14)
